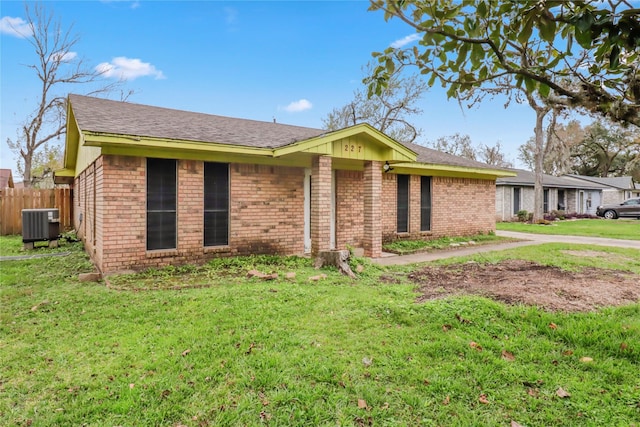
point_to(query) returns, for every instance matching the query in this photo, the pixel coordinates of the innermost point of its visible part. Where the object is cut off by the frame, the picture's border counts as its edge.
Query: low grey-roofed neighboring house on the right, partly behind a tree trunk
(516, 193)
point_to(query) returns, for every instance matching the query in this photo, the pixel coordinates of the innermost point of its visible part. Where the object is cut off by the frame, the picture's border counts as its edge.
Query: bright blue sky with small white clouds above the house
(294, 61)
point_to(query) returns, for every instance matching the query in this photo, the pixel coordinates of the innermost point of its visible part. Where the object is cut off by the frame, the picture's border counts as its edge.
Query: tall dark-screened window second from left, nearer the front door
(216, 204)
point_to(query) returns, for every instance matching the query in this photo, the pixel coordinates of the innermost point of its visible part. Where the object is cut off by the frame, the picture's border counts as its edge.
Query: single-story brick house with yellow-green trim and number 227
(154, 186)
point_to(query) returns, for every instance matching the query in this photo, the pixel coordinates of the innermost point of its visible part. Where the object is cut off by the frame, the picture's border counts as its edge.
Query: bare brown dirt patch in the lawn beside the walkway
(525, 282)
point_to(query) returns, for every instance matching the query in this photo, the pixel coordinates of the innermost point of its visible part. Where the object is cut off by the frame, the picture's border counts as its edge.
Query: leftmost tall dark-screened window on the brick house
(161, 204)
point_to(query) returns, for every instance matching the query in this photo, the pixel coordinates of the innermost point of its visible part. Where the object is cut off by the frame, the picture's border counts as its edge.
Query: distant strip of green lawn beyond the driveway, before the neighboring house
(615, 229)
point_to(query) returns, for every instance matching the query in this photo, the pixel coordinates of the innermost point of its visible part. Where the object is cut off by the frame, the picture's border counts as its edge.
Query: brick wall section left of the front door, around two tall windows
(266, 213)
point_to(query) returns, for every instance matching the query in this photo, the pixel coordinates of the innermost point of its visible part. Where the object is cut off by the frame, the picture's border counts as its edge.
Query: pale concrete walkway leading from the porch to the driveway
(526, 239)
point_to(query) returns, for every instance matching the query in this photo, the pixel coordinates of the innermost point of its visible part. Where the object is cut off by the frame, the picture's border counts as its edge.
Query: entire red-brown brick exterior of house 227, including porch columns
(266, 210)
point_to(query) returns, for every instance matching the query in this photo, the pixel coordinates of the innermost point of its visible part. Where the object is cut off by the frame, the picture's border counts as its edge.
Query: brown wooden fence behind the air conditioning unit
(13, 200)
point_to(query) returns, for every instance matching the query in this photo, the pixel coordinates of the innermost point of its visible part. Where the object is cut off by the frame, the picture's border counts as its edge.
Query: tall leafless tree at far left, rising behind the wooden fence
(57, 67)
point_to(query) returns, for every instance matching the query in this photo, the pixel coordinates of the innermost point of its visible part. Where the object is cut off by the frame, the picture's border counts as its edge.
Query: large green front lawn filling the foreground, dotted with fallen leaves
(235, 351)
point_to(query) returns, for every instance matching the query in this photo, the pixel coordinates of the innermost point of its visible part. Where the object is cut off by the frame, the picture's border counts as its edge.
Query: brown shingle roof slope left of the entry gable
(124, 118)
